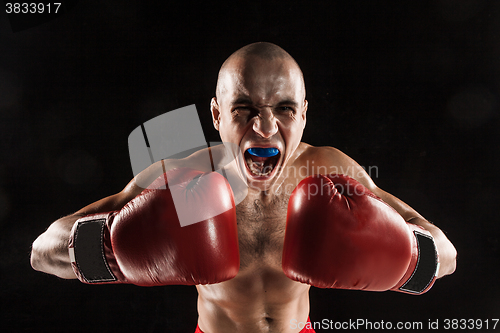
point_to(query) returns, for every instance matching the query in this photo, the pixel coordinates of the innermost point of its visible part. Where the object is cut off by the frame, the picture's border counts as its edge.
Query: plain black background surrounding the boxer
(408, 87)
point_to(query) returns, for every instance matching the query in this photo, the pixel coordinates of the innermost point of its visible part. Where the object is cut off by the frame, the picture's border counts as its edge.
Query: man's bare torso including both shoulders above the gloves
(261, 298)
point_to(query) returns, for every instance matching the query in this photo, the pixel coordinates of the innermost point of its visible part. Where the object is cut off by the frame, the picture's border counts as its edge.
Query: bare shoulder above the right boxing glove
(330, 160)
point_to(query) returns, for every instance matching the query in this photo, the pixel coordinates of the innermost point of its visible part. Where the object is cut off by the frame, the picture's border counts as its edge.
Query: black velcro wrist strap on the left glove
(89, 251)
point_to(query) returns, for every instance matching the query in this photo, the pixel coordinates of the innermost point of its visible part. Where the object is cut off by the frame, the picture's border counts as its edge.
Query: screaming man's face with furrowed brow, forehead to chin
(261, 104)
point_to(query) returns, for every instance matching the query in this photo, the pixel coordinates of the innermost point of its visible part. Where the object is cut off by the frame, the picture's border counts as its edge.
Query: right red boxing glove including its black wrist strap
(341, 235)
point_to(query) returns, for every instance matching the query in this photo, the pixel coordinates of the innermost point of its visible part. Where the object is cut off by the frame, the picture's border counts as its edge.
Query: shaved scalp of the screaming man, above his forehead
(253, 55)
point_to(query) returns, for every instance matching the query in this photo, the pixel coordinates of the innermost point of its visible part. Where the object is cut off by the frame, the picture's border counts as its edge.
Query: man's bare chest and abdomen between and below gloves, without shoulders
(260, 298)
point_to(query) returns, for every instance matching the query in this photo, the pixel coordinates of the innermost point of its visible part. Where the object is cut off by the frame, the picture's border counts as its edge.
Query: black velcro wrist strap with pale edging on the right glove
(426, 267)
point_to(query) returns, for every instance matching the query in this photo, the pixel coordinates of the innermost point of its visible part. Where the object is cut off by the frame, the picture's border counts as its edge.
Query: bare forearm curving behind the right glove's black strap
(446, 251)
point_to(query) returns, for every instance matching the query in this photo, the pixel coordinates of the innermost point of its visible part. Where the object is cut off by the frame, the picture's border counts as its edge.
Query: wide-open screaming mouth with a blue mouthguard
(261, 162)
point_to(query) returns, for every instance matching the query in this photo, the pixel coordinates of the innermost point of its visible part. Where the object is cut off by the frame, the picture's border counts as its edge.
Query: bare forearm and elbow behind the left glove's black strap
(49, 252)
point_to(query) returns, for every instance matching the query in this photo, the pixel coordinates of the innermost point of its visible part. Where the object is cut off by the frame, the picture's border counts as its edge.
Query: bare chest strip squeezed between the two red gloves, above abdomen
(261, 229)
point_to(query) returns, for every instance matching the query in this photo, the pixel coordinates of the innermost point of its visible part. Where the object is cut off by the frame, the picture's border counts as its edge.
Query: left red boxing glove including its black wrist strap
(182, 233)
